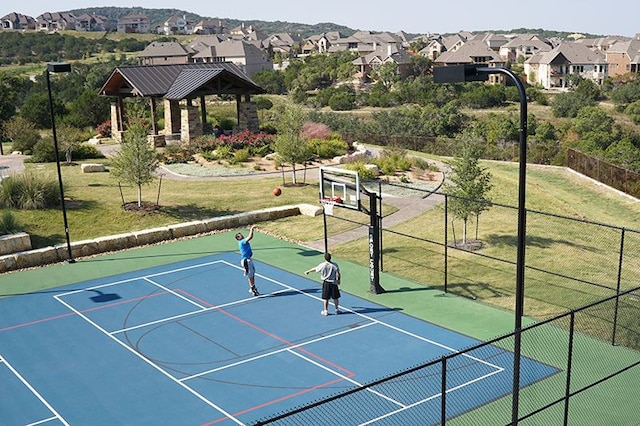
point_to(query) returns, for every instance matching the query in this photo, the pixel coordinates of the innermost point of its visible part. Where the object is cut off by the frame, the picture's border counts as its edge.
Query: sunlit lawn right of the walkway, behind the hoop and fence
(414, 250)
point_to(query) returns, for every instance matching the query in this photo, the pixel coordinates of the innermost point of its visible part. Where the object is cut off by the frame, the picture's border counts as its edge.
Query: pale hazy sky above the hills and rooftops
(614, 17)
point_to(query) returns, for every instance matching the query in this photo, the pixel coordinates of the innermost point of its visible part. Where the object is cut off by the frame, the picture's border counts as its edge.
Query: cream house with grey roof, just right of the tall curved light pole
(552, 69)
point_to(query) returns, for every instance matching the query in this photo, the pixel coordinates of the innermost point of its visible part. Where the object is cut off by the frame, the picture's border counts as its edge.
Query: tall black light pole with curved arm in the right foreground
(461, 73)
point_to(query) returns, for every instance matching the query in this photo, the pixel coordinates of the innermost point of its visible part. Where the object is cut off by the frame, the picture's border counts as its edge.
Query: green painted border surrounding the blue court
(617, 398)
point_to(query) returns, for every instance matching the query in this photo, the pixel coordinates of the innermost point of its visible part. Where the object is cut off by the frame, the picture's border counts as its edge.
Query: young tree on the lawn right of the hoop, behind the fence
(469, 185)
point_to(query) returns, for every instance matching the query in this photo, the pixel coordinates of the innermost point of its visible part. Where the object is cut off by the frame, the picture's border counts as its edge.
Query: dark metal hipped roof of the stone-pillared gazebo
(179, 81)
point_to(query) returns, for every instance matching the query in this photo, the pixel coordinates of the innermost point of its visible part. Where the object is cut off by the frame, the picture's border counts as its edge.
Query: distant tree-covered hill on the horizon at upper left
(159, 16)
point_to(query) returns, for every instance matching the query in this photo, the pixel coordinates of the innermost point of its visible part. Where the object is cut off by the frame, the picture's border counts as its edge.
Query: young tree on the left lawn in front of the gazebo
(136, 161)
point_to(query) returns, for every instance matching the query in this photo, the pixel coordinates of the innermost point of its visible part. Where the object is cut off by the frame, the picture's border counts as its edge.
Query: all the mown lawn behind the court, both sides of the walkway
(412, 250)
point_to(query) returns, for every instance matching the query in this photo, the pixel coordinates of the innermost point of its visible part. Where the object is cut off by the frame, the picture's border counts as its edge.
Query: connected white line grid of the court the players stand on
(291, 349)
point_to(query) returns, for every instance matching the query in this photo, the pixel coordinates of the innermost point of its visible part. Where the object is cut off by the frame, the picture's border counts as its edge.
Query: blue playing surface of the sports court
(186, 344)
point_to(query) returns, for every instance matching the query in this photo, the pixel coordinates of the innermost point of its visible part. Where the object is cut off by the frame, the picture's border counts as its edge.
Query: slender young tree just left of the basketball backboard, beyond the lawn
(290, 145)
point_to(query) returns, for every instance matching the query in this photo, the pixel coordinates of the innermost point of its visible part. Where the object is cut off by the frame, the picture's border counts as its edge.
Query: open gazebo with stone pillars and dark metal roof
(177, 85)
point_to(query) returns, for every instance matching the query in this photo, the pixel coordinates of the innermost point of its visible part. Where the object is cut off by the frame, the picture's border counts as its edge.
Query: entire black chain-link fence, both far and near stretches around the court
(582, 283)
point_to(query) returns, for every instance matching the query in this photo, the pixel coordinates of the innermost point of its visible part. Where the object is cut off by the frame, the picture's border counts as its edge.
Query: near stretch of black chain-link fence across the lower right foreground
(433, 393)
